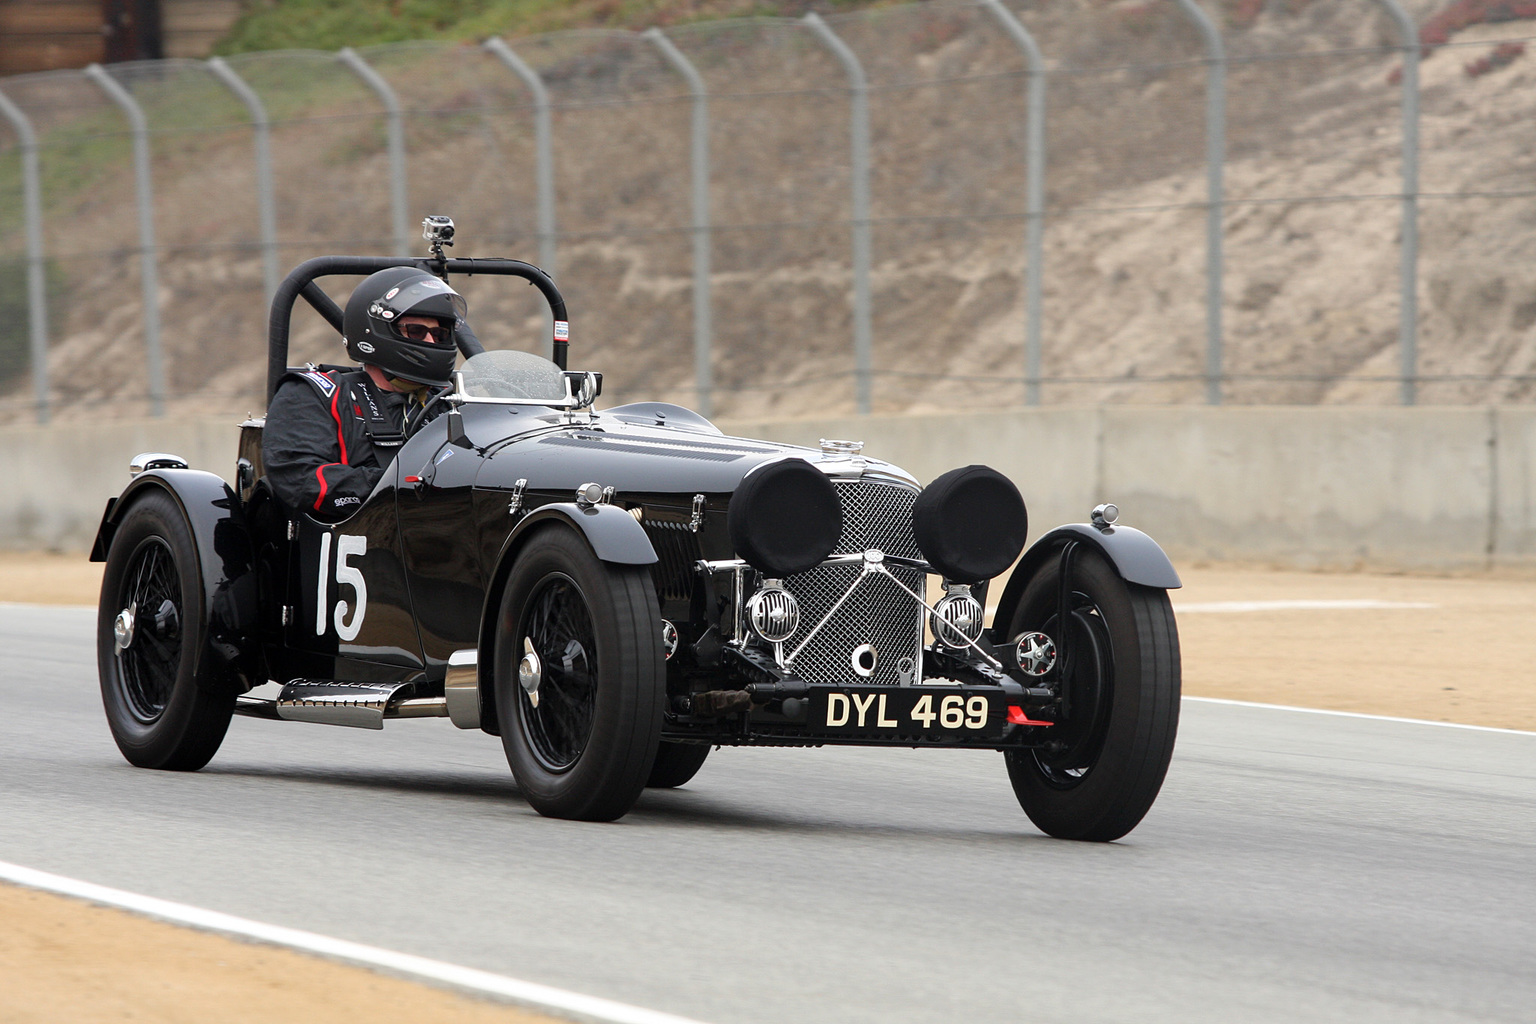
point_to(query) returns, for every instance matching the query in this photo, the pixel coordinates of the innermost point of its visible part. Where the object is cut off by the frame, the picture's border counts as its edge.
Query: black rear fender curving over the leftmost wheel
(230, 655)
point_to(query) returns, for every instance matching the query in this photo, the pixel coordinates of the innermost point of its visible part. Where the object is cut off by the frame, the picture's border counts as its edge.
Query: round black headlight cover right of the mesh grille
(970, 524)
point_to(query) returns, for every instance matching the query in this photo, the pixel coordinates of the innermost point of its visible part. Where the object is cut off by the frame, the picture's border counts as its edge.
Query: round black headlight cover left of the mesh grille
(786, 518)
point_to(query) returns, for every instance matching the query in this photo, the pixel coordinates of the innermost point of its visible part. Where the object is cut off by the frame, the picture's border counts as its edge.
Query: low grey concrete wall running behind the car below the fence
(1429, 489)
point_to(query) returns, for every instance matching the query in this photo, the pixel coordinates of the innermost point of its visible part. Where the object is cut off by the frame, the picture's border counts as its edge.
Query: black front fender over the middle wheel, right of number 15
(614, 535)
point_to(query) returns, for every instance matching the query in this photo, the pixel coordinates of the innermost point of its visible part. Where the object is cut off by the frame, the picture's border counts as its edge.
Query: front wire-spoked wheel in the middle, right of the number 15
(588, 748)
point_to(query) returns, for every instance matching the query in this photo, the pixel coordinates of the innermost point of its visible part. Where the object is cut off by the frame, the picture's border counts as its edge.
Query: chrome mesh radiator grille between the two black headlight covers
(876, 515)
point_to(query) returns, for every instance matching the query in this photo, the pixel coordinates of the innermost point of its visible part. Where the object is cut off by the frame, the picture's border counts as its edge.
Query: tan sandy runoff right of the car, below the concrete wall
(1466, 656)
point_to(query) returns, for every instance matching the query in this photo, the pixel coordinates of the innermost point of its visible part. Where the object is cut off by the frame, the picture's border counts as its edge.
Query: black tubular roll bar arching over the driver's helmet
(302, 283)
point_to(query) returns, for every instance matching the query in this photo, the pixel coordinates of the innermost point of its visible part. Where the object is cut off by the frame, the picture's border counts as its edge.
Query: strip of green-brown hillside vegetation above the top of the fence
(337, 24)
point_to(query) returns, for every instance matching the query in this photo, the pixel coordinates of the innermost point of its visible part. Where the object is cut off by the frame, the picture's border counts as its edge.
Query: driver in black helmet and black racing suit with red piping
(333, 431)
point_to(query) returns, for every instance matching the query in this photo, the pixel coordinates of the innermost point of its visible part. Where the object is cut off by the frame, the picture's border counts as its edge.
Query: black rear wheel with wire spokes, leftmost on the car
(156, 707)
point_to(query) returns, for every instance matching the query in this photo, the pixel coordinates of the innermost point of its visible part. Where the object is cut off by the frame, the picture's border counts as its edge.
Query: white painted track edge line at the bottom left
(526, 994)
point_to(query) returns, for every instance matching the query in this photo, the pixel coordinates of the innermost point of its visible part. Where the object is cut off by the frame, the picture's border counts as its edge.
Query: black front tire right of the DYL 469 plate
(1105, 762)
